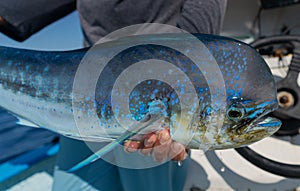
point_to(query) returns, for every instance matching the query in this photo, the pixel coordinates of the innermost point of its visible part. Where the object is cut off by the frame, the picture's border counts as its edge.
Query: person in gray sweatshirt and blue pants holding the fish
(99, 18)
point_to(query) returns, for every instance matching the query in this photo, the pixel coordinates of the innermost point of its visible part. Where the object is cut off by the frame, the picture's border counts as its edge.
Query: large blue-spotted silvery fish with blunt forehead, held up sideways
(214, 92)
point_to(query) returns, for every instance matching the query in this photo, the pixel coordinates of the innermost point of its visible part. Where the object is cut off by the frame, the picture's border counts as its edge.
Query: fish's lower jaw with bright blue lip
(266, 123)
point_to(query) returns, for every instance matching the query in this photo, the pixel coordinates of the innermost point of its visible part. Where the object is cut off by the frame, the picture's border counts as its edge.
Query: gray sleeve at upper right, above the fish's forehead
(202, 16)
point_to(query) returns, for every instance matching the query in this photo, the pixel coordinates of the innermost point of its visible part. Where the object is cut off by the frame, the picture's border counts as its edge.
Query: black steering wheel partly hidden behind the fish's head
(288, 95)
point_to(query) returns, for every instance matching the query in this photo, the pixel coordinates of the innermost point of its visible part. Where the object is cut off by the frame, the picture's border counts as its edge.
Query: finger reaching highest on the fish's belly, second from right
(161, 149)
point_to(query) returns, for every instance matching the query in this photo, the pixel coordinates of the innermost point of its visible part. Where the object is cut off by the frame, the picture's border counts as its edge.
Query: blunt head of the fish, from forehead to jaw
(251, 94)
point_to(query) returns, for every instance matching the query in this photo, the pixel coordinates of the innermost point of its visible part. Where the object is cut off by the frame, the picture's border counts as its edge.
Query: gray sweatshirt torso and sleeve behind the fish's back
(101, 17)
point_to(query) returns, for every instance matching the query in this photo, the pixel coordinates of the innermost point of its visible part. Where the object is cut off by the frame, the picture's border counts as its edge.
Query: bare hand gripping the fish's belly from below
(159, 145)
